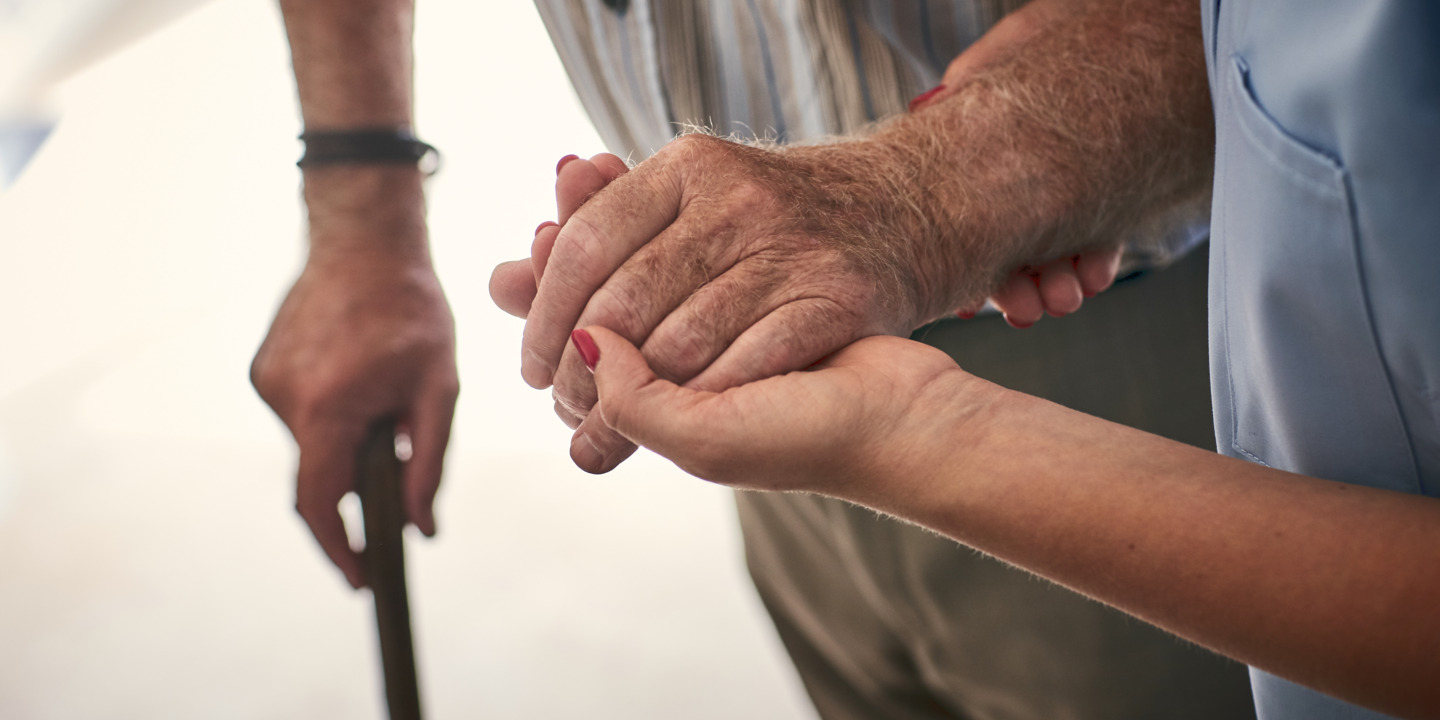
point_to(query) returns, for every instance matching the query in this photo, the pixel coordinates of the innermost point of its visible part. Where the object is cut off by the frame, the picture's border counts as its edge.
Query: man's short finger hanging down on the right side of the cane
(430, 423)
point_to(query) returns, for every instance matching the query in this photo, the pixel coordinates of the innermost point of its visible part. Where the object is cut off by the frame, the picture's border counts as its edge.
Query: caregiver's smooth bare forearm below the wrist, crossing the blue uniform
(1331, 585)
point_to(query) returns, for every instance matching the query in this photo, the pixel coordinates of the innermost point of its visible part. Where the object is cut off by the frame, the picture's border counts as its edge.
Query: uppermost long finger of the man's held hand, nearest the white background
(594, 243)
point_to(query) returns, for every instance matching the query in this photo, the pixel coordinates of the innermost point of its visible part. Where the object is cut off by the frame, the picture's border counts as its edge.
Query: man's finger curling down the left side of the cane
(326, 474)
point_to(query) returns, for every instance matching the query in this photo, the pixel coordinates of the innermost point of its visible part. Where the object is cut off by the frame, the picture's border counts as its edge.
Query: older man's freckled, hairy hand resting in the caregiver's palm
(726, 264)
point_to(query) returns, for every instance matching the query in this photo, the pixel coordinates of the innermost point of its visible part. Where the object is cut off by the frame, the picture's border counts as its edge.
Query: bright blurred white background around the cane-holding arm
(150, 564)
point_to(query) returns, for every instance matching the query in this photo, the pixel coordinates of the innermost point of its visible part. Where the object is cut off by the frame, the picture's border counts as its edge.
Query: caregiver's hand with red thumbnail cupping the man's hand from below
(849, 427)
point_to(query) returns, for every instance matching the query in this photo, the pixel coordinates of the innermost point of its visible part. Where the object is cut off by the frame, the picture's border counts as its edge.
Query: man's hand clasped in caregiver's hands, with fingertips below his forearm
(716, 266)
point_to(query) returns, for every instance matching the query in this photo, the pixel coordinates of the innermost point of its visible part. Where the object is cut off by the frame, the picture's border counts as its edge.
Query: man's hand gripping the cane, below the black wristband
(359, 339)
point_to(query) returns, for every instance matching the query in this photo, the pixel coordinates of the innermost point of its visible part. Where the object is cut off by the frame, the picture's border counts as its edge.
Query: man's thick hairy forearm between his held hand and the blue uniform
(1071, 126)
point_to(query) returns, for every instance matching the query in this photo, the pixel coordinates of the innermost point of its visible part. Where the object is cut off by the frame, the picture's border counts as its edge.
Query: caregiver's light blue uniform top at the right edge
(1326, 257)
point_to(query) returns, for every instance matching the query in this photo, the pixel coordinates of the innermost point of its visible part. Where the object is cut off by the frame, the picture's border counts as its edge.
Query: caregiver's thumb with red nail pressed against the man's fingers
(633, 401)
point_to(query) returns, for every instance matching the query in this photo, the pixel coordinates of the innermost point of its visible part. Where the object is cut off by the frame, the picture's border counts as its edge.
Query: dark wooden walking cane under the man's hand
(378, 483)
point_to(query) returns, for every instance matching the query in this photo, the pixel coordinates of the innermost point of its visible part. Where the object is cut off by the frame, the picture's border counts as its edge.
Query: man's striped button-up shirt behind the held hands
(777, 70)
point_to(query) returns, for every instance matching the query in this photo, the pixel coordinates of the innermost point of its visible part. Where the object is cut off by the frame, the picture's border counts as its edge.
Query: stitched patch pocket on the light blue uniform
(1298, 379)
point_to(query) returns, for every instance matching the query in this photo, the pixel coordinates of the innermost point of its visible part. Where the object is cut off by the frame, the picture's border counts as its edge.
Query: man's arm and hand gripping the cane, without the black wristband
(366, 333)
